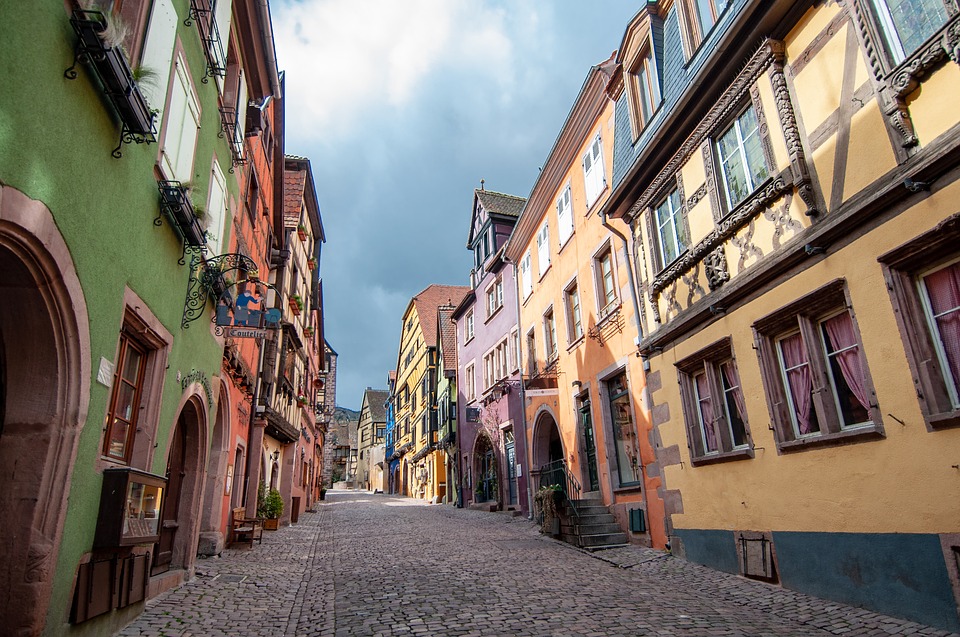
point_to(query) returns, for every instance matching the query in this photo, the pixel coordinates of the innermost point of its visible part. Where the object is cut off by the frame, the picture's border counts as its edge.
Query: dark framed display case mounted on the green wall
(130, 504)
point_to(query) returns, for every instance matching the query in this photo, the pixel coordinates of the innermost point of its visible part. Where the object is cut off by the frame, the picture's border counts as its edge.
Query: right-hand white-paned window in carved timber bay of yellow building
(740, 154)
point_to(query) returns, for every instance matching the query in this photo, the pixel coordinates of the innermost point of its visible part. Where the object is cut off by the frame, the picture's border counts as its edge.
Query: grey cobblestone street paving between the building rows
(385, 566)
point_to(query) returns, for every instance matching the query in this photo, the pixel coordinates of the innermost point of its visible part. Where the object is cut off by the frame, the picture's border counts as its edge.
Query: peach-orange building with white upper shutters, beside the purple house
(587, 417)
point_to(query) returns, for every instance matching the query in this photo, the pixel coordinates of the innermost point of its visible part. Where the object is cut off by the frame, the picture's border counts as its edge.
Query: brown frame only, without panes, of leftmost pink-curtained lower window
(709, 362)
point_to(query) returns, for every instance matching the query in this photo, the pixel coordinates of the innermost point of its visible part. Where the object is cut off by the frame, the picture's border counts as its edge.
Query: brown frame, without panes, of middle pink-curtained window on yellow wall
(806, 316)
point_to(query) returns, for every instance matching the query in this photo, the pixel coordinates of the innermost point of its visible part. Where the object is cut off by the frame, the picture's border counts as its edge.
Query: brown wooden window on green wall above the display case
(125, 397)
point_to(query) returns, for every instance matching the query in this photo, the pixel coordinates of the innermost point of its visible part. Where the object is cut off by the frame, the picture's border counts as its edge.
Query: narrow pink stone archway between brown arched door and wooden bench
(211, 526)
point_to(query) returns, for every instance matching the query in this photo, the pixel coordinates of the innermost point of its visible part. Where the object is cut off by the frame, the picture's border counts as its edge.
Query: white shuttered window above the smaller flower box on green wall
(183, 122)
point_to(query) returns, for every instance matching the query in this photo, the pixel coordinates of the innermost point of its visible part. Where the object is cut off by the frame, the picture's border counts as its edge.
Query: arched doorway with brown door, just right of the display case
(181, 503)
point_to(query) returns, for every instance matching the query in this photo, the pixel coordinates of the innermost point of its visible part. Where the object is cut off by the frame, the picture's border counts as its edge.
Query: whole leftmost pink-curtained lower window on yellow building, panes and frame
(713, 405)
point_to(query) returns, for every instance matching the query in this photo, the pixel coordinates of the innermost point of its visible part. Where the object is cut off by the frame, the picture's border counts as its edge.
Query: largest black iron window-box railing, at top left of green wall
(110, 65)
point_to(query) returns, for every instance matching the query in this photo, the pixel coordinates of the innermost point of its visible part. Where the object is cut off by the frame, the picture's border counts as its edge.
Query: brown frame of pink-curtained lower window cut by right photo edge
(902, 268)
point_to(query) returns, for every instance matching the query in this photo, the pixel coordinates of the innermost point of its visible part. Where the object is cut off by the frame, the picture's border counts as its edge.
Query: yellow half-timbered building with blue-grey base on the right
(797, 237)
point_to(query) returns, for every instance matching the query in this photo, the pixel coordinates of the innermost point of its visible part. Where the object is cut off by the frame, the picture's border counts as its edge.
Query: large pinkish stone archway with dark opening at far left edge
(44, 394)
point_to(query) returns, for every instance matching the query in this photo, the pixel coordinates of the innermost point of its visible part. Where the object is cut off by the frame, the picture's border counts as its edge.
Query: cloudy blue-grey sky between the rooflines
(402, 107)
